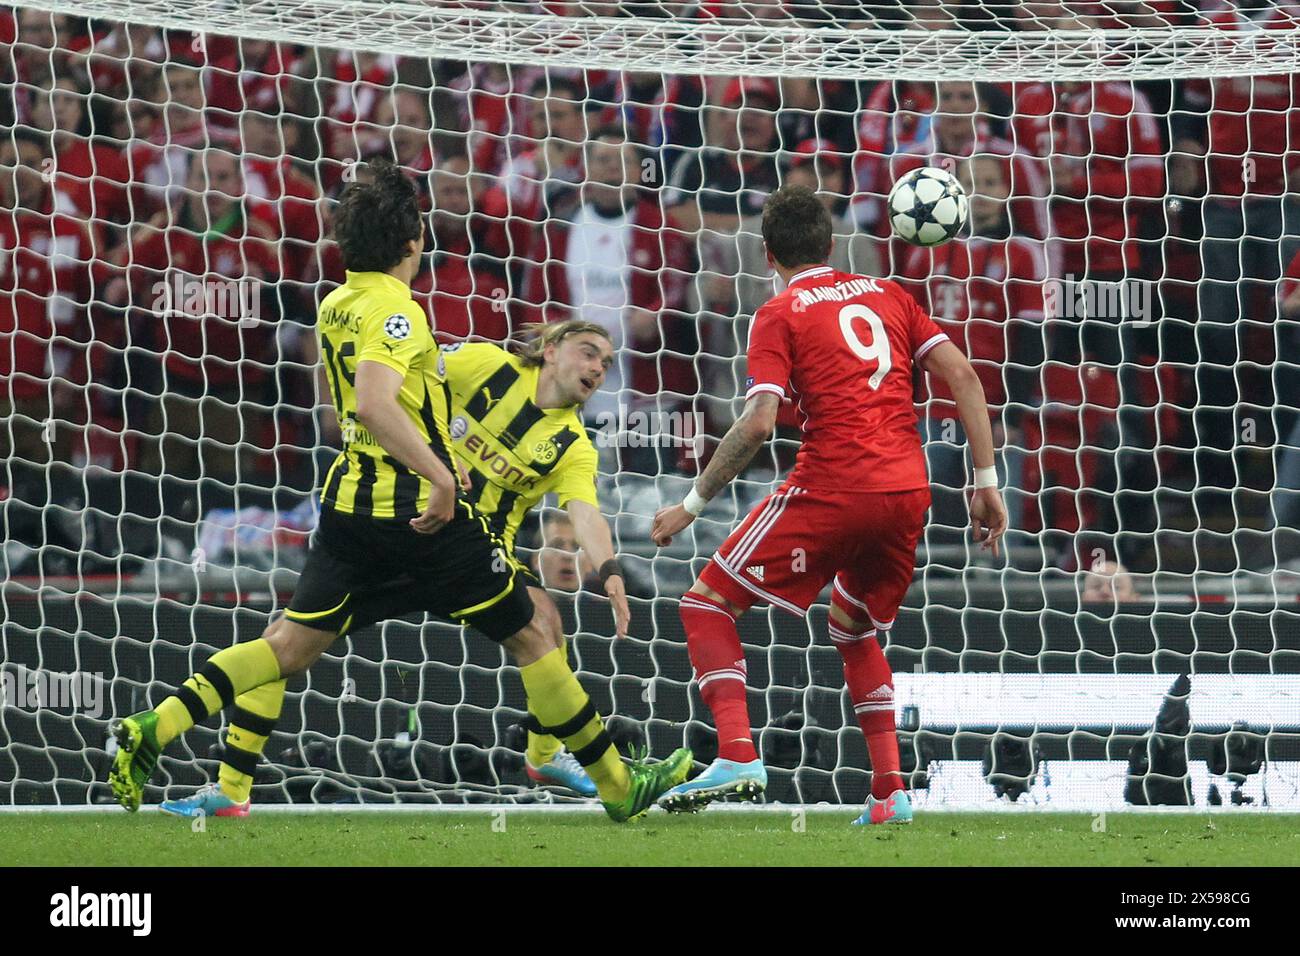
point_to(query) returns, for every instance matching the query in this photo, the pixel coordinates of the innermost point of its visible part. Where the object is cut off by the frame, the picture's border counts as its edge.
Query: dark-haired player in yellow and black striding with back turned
(389, 513)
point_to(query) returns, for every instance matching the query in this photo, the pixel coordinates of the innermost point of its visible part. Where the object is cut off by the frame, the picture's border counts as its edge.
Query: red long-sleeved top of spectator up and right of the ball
(1104, 152)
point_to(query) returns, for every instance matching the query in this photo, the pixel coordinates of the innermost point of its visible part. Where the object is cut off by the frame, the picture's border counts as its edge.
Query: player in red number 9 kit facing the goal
(843, 349)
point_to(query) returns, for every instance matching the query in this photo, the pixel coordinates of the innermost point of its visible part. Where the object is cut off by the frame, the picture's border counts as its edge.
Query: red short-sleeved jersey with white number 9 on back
(843, 349)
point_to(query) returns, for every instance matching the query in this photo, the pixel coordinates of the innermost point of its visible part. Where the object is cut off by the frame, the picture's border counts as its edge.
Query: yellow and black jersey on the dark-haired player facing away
(372, 318)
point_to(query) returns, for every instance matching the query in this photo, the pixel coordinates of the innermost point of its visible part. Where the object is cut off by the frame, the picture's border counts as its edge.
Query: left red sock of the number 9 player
(720, 663)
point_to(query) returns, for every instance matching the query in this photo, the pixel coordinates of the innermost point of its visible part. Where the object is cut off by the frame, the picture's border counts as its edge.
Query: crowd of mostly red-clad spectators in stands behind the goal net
(135, 162)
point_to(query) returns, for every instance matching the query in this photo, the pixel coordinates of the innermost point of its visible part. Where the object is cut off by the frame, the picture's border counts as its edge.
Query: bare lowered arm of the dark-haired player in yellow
(379, 412)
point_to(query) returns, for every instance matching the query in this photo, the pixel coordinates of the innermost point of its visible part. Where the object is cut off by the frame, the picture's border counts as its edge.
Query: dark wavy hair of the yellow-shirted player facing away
(378, 217)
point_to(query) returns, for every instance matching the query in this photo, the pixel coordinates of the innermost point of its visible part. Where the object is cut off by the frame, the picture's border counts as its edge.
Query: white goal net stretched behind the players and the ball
(1128, 291)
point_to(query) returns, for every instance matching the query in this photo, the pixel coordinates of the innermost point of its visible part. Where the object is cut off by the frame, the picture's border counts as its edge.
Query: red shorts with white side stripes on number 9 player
(796, 542)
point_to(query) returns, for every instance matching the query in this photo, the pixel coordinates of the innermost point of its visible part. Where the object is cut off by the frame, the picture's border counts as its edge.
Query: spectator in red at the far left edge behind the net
(45, 284)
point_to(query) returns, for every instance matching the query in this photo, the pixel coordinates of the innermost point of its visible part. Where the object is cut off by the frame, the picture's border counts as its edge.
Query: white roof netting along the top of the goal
(822, 38)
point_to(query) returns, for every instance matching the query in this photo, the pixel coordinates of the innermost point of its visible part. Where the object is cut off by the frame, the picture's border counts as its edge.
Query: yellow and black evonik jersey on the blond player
(515, 452)
